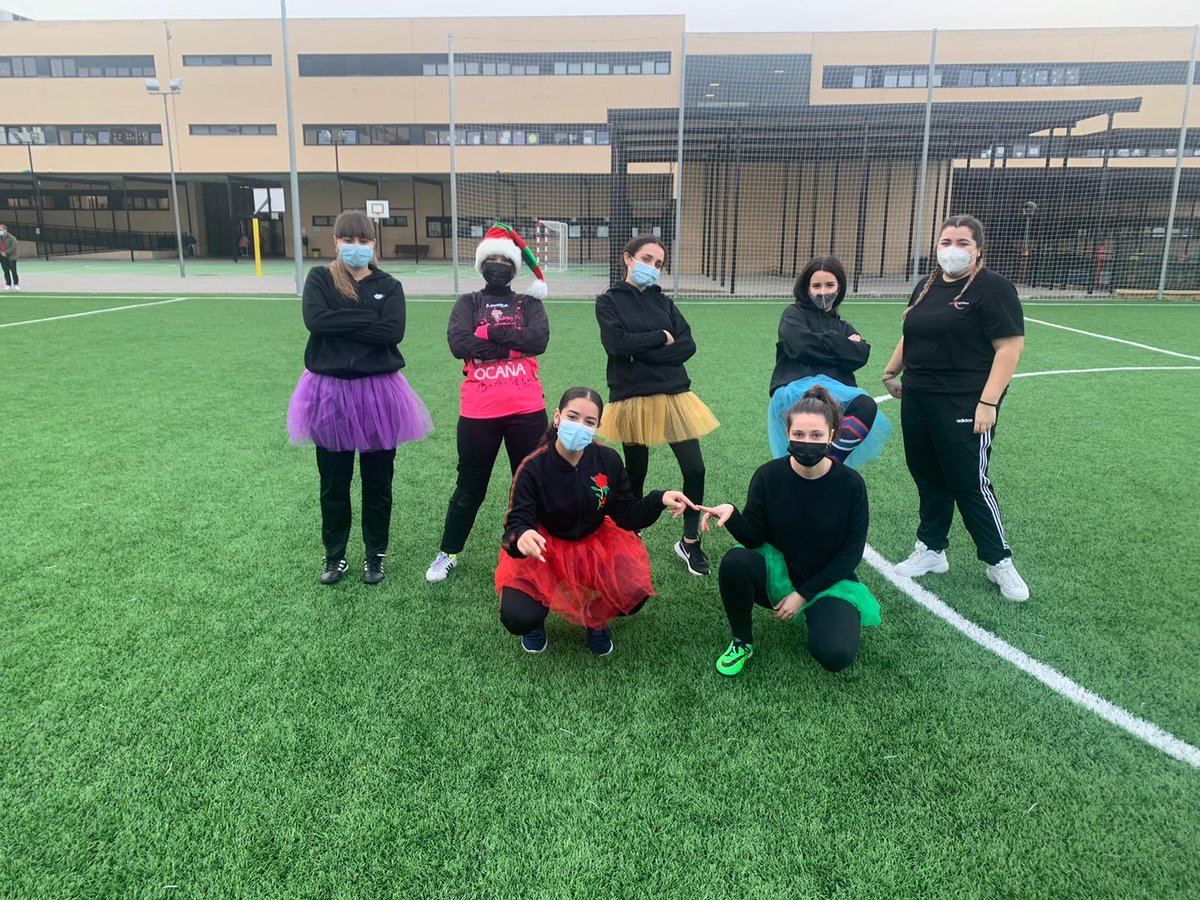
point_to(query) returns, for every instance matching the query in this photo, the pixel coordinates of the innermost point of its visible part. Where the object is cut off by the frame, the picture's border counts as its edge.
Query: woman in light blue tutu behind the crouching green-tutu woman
(818, 347)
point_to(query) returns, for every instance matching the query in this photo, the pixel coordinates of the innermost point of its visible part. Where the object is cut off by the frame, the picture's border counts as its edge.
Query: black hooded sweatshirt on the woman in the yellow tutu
(632, 331)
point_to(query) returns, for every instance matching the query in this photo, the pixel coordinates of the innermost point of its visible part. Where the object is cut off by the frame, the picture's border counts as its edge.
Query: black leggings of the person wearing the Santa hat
(479, 445)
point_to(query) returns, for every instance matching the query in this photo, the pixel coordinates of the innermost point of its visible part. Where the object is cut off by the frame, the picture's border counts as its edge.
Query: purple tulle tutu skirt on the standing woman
(374, 413)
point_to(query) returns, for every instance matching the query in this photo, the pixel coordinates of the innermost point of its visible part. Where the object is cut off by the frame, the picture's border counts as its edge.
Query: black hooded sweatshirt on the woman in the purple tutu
(349, 339)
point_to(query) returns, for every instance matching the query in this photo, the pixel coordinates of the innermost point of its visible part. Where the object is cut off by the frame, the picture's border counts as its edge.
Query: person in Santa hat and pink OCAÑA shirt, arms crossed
(499, 335)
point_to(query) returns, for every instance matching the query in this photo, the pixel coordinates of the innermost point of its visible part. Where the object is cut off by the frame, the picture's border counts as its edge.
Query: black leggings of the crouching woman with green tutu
(835, 625)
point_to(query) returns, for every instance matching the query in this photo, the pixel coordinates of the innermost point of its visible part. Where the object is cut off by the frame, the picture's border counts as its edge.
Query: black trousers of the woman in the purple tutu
(337, 471)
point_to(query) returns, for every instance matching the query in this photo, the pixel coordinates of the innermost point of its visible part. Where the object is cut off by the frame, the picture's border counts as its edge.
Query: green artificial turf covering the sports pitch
(188, 712)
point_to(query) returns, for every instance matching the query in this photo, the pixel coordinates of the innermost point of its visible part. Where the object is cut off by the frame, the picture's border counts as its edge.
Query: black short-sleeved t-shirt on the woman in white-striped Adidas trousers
(947, 343)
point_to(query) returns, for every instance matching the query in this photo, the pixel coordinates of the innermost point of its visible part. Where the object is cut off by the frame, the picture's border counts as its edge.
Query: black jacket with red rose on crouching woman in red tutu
(571, 502)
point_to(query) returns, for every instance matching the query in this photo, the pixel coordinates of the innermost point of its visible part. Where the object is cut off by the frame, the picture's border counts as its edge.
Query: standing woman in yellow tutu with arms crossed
(650, 395)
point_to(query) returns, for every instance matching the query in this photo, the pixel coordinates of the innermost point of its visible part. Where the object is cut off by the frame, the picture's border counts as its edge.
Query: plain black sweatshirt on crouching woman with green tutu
(820, 525)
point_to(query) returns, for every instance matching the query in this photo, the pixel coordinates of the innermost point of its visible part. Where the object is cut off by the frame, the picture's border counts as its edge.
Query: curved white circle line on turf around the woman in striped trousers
(1052, 679)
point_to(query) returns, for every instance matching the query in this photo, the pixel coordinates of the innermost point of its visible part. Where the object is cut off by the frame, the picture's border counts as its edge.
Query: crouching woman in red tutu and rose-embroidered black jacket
(569, 542)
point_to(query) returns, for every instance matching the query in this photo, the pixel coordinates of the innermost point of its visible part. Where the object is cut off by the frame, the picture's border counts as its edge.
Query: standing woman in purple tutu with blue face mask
(352, 397)
